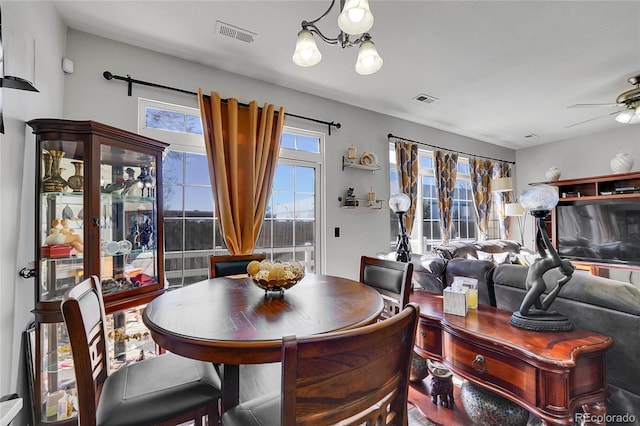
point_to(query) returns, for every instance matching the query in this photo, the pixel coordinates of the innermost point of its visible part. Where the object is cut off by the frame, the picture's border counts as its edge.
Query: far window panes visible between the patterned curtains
(426, 224)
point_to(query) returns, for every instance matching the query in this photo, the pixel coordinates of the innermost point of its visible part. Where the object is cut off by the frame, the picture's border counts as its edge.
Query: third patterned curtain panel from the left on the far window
(480, 170)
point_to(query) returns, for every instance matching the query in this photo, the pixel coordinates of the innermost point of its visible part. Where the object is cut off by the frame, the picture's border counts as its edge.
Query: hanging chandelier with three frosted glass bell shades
(355, 19)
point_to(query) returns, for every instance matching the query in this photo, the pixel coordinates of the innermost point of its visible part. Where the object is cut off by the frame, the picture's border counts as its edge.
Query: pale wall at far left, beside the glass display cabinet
(17, 154)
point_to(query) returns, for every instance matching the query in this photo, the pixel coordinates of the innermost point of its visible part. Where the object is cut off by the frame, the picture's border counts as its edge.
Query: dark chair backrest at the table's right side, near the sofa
(391, 279)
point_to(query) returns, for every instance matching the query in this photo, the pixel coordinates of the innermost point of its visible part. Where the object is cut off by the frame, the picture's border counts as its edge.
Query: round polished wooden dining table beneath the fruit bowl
(231, 321)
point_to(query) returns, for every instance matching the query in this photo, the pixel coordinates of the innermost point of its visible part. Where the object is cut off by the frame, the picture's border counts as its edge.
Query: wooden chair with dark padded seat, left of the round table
(165, 390)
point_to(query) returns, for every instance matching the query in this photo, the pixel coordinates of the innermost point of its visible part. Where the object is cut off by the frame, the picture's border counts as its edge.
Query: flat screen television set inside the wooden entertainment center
(601, 232)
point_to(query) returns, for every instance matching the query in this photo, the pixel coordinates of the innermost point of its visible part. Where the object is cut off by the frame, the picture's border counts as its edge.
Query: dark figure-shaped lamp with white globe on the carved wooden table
(533, 314)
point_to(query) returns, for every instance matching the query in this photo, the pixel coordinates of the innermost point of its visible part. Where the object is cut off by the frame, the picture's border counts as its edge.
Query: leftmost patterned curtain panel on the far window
(407, 162)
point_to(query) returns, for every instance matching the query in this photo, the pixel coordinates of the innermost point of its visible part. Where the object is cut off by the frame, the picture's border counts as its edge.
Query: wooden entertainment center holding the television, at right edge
(596, 223)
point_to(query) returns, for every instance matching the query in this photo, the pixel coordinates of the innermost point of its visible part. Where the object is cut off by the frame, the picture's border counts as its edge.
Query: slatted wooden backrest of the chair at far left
(84, 316)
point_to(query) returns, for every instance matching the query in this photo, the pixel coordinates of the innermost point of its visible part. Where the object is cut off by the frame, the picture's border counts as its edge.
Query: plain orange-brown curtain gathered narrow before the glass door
(242, 146)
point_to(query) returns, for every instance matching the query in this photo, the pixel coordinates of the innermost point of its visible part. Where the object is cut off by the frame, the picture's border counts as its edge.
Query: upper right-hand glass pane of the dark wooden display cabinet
(128, 220)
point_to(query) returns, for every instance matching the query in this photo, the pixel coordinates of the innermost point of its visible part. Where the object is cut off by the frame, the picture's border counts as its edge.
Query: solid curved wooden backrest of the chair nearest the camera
(358, 376)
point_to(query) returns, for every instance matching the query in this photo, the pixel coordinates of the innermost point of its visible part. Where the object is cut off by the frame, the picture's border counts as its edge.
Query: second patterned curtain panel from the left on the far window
(446, 170)
